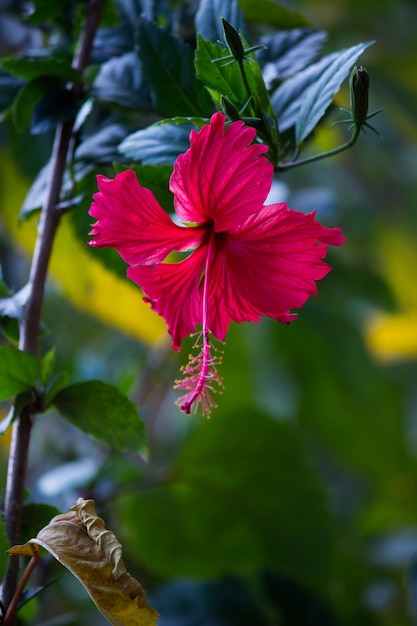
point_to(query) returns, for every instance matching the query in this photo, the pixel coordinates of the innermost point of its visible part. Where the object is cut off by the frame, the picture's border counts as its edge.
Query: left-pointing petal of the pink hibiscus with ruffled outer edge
(130, 219)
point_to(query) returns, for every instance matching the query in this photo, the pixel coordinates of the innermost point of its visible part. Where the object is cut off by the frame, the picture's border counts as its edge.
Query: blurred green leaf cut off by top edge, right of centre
(271, 13)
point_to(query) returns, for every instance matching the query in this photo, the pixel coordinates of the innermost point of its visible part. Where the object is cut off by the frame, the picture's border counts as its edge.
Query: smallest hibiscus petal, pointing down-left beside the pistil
(172, 289)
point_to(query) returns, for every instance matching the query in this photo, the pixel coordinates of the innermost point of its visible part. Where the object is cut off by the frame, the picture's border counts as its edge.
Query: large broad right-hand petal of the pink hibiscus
(267, 267)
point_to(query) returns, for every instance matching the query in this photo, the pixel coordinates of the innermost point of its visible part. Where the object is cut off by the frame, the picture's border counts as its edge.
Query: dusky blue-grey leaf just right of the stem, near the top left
(120, 80)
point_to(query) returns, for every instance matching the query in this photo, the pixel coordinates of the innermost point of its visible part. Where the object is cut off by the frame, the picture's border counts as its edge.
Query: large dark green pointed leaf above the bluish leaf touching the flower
(168, 65)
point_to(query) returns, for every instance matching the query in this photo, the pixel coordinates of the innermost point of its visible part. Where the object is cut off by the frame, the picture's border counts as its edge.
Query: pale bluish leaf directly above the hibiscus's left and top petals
(157, 144)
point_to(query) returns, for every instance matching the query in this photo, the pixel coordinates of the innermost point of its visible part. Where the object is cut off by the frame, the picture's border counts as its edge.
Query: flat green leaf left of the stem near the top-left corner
(31, 67)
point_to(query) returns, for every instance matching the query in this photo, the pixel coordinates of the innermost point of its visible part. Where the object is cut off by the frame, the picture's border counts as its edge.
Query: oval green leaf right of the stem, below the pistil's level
(102, 411)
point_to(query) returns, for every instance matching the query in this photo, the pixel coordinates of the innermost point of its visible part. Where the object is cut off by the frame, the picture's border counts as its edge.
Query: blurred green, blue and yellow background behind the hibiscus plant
(296, 503)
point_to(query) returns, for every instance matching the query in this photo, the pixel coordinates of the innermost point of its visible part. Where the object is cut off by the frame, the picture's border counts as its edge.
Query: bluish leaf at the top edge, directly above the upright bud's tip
(208, 19)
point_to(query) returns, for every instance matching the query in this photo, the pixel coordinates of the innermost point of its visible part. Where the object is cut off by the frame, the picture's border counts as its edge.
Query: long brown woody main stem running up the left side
(48, 225)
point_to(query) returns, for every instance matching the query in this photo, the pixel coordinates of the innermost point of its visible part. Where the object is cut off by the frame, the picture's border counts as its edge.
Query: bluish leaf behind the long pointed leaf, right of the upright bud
(288, 52)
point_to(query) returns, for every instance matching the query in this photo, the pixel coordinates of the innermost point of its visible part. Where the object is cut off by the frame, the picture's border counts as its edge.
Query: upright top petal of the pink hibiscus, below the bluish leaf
(223, 177)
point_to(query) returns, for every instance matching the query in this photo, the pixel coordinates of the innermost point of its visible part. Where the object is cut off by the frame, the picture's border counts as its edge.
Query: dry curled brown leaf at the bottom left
(80, 541)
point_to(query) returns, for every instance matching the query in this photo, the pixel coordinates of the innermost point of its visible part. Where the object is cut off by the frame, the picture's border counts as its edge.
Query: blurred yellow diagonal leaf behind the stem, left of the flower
(85, 282)
